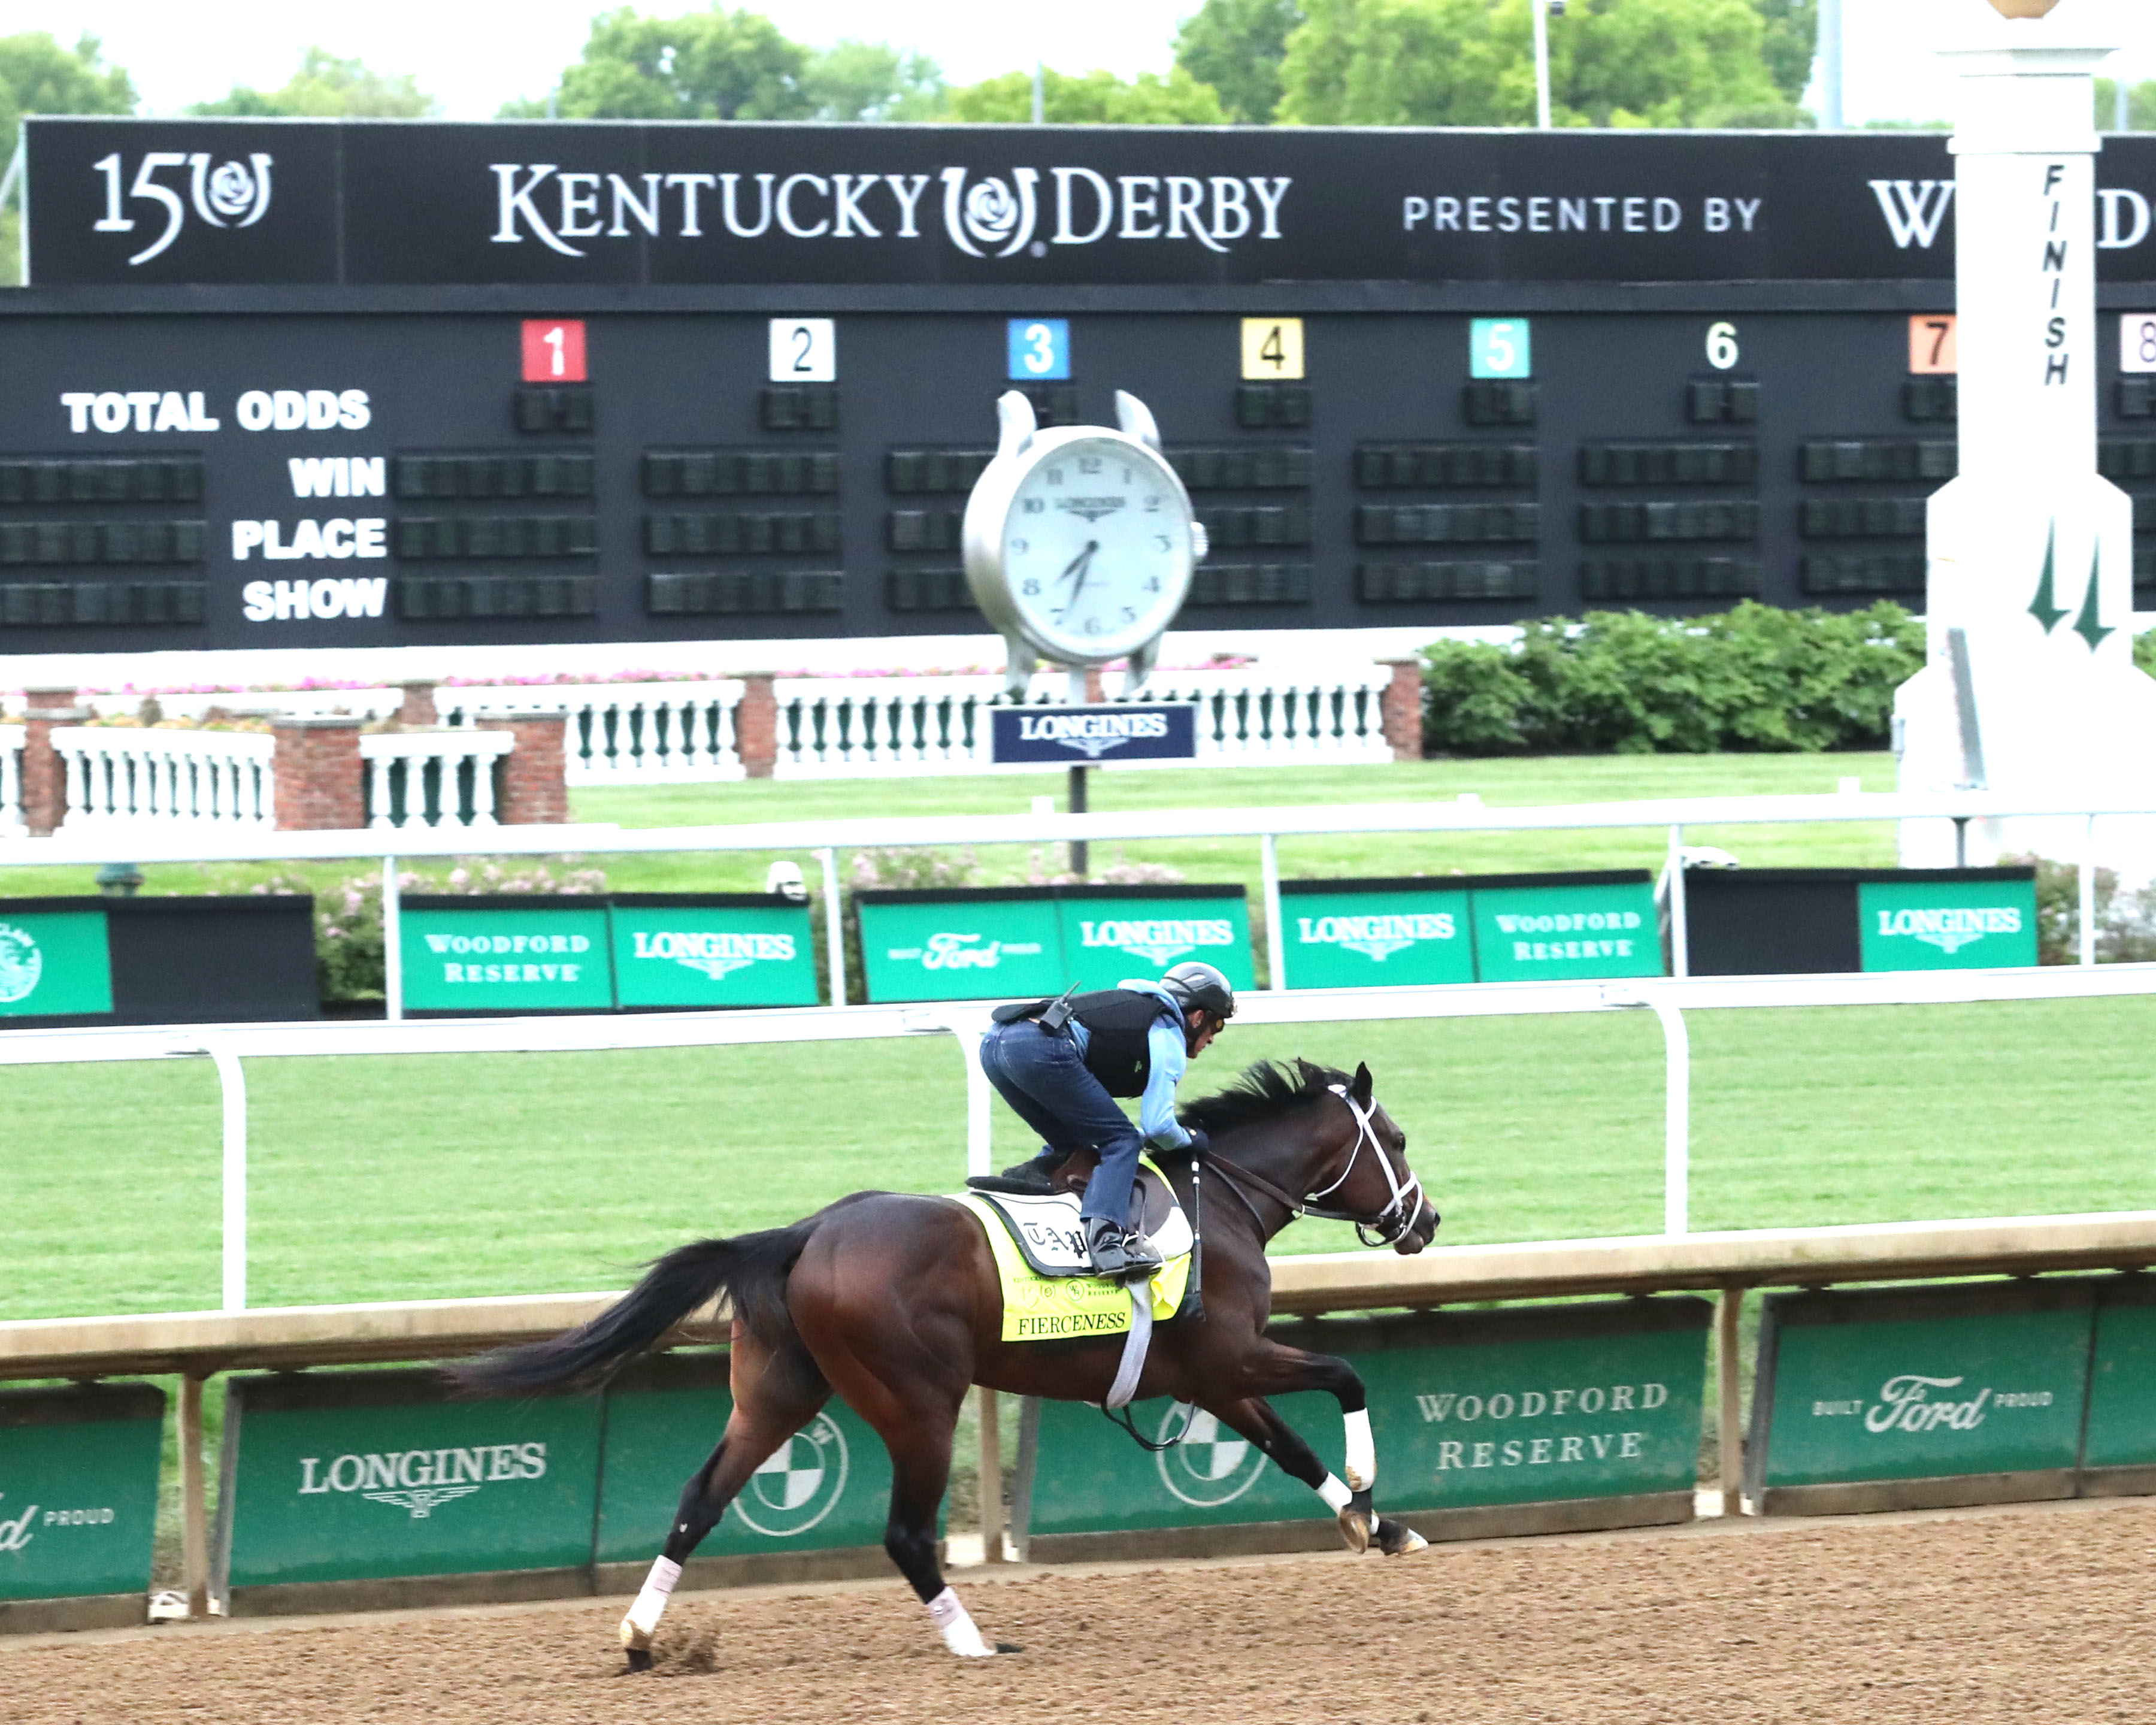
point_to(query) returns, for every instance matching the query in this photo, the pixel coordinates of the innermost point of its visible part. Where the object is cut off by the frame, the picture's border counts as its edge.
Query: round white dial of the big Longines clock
(1096, 549)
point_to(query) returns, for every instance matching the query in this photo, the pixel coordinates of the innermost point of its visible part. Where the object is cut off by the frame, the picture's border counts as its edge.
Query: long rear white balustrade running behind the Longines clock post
(851, 728)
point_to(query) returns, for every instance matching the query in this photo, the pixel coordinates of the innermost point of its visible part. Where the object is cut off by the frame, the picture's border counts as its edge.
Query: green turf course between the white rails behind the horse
(499, 1174)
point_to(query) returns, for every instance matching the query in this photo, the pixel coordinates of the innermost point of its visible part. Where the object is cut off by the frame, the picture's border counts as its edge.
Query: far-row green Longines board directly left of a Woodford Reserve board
(1374, 933)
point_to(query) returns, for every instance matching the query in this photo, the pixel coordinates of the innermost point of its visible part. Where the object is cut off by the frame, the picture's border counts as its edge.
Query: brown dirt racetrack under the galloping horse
(2034, 1616)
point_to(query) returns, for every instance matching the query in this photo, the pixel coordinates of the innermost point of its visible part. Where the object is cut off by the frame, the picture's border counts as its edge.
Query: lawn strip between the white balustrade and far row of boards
(1499, 784)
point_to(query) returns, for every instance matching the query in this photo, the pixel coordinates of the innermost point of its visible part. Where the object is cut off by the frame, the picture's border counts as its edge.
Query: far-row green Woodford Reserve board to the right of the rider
(1560, 928)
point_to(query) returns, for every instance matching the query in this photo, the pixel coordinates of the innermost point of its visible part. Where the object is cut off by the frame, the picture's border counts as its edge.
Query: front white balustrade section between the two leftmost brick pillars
(128, 777)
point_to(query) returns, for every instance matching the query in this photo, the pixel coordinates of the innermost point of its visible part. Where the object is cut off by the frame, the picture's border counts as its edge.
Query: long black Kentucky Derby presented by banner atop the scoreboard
(389, 202)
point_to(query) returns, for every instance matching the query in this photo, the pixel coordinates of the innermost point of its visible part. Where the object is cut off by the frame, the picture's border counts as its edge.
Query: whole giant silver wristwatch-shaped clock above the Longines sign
(1081, 542)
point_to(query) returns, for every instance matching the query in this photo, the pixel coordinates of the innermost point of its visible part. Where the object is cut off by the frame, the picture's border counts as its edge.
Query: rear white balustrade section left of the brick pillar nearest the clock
(622, 734)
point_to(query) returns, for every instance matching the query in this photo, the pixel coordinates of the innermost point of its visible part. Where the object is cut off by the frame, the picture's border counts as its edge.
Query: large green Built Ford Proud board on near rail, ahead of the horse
(1920, 1398)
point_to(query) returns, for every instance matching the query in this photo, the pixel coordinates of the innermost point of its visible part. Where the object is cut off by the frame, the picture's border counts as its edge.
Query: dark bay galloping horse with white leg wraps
(892, 1303)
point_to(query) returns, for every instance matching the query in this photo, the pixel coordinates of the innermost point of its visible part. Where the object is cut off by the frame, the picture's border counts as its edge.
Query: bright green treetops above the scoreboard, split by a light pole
(1674, 64)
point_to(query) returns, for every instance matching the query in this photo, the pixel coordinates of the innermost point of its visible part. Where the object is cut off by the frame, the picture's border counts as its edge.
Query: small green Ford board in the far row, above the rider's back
(960, 946)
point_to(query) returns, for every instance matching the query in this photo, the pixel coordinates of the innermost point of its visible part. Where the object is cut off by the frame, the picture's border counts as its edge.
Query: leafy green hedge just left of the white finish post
(1756, 678)
